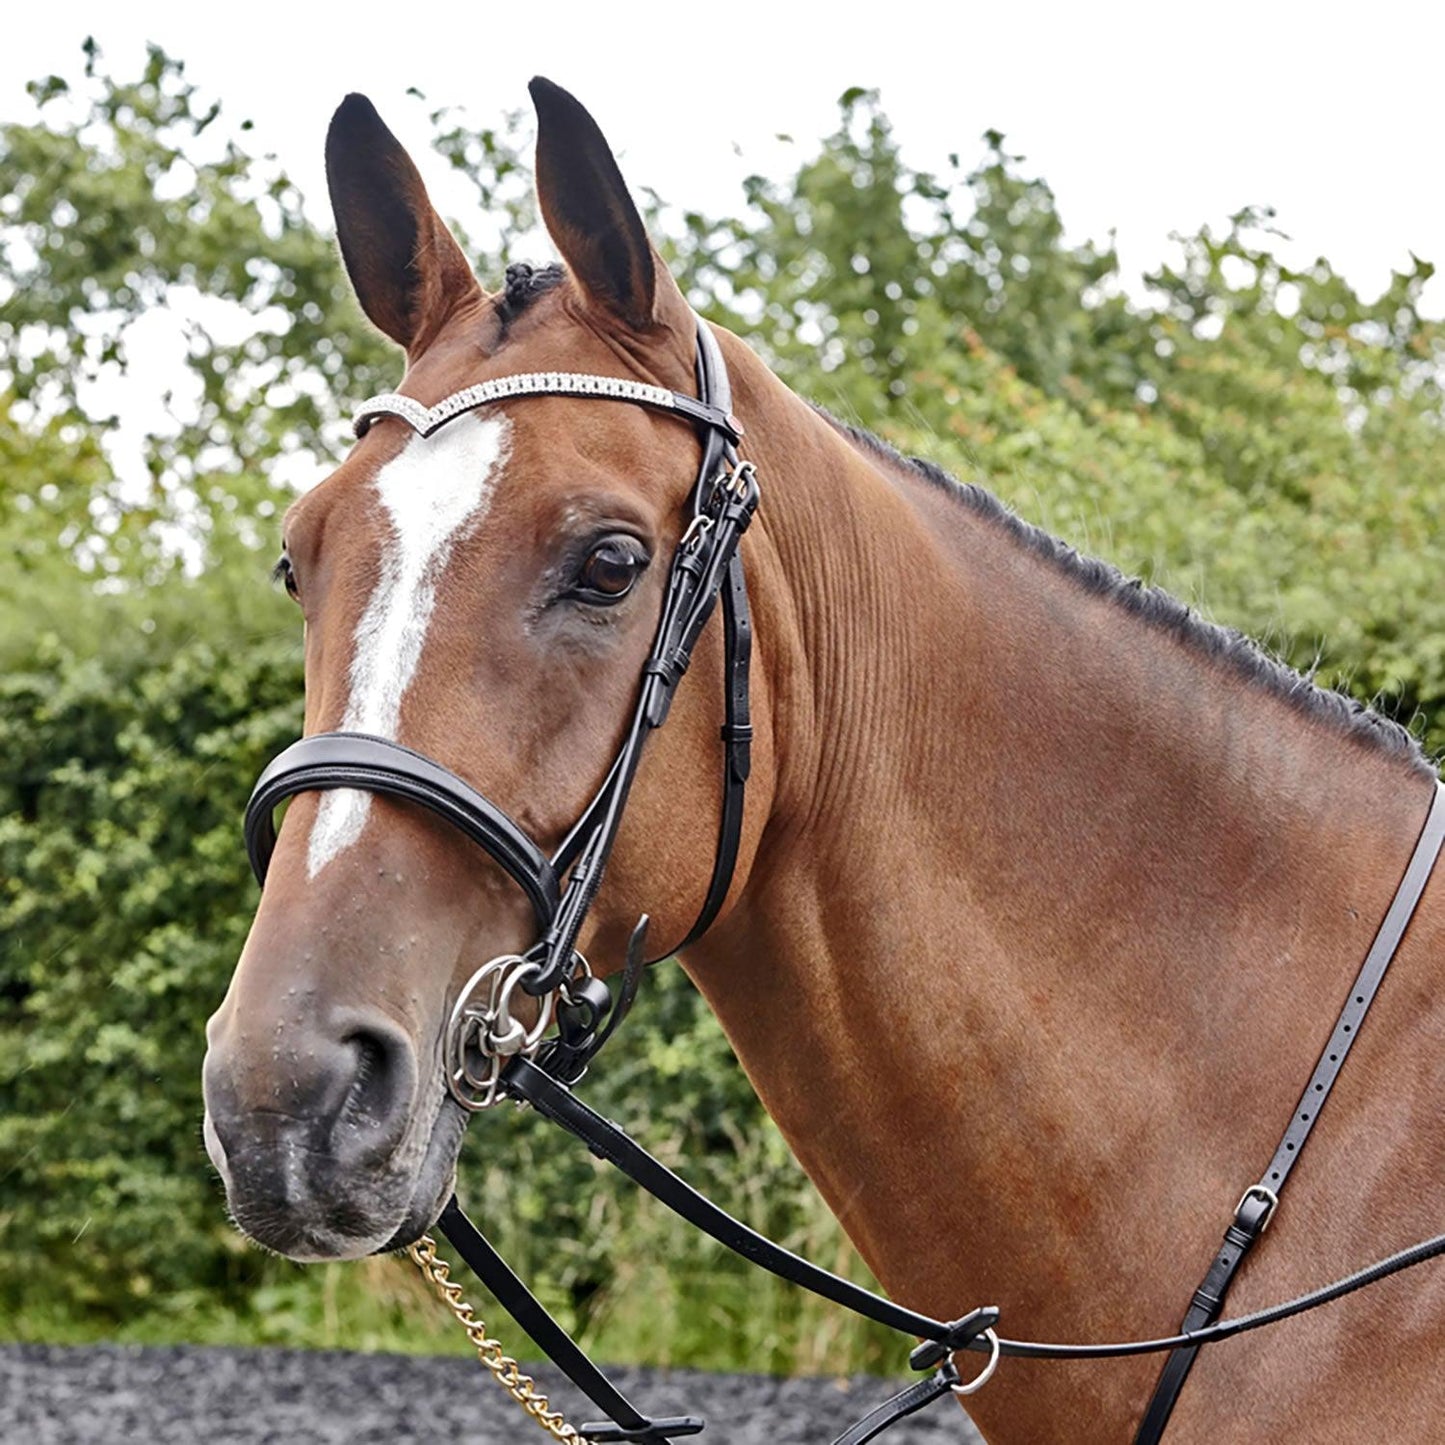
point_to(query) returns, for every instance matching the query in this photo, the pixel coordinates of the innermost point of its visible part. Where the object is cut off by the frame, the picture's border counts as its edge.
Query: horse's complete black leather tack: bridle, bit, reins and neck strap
(491, 1056)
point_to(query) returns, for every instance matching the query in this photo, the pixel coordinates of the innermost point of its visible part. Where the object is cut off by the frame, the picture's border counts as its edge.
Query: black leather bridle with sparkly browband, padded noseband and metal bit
(483, 1034)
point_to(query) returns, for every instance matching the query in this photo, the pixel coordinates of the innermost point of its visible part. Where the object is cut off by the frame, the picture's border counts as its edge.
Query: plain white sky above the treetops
(1144, 118)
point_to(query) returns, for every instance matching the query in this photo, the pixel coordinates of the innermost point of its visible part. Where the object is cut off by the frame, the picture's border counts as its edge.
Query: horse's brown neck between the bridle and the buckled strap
(1019, 965)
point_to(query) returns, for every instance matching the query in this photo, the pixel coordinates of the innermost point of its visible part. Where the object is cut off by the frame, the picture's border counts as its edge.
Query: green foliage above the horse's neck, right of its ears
(1264, 441)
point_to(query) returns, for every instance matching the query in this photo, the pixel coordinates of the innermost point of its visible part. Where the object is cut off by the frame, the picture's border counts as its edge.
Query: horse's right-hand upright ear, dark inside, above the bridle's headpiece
(587, 209)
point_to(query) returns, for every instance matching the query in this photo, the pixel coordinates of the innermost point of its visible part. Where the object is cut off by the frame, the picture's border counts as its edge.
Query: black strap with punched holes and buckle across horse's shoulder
(1258, 1207)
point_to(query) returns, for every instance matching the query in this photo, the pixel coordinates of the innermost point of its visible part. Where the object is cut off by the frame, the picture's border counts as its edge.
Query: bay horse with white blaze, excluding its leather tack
(1047, 891)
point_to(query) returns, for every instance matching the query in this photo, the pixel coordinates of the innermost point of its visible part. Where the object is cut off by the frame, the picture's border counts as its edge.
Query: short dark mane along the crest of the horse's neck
(1241, 655)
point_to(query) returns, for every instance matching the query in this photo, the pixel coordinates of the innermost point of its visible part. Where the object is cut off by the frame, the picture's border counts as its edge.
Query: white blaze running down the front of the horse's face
(433, 492)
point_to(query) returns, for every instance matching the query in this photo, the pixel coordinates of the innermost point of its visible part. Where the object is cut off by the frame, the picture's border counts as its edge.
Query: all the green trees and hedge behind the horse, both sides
(1261, 440)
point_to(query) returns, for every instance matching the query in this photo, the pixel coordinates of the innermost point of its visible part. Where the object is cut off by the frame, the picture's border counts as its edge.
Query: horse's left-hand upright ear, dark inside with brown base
(407, 269)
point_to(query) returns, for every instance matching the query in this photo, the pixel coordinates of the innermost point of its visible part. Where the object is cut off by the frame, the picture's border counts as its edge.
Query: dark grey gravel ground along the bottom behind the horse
(193, 1397)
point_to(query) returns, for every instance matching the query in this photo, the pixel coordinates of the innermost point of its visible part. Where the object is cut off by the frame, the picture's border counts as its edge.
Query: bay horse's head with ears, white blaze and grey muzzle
(485, 593)
